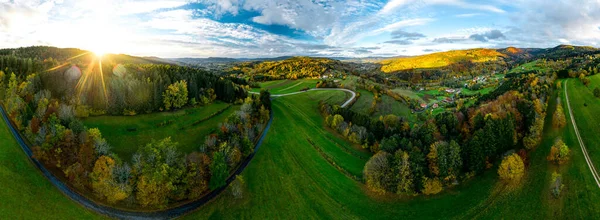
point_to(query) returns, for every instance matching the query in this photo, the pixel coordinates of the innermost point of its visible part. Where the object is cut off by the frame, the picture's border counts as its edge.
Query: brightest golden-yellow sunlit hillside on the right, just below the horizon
(440, 59)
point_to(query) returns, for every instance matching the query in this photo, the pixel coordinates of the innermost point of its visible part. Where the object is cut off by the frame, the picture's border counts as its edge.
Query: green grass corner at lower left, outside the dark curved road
(25, 193)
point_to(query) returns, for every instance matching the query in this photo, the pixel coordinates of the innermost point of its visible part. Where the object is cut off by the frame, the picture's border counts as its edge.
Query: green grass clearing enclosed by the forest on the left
(180, 128)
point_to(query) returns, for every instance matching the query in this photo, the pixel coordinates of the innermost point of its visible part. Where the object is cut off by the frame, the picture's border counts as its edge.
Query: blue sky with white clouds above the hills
(271, 28)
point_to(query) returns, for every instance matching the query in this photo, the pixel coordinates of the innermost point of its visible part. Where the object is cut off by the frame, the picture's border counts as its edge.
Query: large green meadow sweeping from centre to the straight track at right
(289, 179)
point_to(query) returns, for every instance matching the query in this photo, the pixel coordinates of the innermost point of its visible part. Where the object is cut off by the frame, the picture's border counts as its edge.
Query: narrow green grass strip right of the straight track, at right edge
(587, 118)
